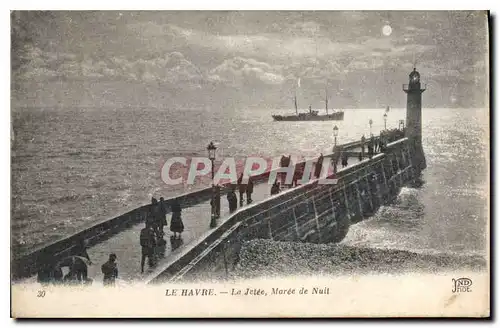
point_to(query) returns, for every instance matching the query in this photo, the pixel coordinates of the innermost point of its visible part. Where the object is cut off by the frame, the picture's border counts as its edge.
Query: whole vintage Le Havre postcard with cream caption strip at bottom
(260, 164)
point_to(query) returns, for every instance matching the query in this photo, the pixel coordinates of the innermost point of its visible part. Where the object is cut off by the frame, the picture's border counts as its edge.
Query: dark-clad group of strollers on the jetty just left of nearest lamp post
(152, 235)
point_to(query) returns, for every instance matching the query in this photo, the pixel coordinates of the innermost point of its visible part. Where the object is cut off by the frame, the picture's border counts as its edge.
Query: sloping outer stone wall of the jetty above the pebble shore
(314, 212)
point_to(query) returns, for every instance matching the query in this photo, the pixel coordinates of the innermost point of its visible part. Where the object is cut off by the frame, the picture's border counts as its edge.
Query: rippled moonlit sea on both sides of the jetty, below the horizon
(74, 167)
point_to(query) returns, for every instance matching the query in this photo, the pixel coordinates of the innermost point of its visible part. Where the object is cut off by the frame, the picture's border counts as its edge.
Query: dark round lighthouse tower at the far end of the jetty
(413, 132)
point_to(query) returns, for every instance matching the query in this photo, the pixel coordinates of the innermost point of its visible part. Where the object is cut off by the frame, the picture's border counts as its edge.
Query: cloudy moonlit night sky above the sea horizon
(248, 59)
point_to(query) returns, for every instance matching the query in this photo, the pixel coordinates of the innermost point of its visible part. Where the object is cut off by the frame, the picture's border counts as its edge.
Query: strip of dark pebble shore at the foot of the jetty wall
(267, 258)
